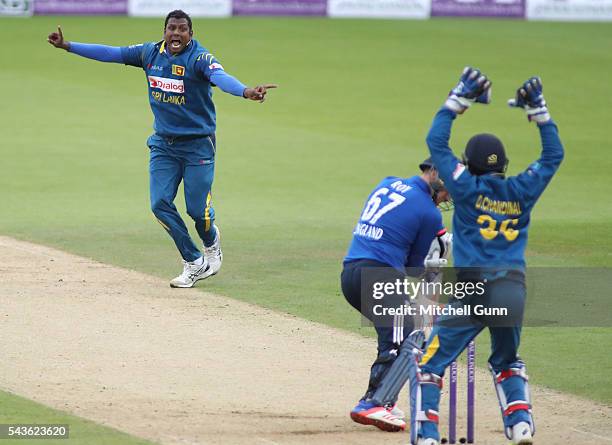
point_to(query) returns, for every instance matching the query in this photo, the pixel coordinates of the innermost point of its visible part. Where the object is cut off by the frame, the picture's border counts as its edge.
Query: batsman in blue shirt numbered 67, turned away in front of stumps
(399, 224)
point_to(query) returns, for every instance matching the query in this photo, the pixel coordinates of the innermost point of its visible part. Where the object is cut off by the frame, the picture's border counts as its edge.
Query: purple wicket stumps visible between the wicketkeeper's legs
(452, 398)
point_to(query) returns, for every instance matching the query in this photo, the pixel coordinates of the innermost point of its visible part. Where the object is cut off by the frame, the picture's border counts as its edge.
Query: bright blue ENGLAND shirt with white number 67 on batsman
(397, 224)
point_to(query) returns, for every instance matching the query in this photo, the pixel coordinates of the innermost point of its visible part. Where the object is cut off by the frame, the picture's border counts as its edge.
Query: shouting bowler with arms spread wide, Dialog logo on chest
(180, 74)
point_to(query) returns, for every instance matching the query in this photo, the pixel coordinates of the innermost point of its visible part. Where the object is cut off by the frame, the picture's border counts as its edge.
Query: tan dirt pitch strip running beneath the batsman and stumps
(186, 367)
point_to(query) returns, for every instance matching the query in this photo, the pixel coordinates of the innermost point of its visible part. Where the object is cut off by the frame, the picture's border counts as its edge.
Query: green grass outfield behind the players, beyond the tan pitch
(355, 101)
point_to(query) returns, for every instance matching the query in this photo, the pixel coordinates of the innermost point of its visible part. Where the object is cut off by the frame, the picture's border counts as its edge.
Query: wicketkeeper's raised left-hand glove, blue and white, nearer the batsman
(472, 87)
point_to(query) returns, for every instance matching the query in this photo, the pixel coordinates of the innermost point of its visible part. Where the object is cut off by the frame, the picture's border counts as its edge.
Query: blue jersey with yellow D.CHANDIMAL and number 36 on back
(492, 214)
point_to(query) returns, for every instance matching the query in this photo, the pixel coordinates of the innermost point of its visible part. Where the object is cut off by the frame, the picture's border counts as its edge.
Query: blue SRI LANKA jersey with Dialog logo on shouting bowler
(180, 91)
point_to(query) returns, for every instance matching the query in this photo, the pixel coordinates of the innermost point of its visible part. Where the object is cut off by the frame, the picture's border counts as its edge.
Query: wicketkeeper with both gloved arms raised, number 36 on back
(490, 226)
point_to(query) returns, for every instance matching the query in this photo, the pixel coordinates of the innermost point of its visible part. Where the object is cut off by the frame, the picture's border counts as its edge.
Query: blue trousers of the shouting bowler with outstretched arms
(191, 160)
